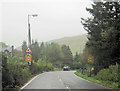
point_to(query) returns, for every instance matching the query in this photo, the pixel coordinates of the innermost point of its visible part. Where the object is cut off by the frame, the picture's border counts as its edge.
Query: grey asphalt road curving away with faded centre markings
(62, 80)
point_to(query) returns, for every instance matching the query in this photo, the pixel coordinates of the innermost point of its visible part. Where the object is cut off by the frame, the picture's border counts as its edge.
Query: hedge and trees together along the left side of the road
(45, 57)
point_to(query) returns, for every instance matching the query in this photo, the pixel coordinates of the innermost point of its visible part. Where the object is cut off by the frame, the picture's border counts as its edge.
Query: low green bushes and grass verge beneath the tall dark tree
(105, 77)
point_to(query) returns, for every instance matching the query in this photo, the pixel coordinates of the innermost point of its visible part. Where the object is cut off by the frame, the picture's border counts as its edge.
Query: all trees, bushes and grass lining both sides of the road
(103, 29)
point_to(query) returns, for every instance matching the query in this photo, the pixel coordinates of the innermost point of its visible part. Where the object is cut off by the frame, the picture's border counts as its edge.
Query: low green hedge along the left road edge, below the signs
(15, 72)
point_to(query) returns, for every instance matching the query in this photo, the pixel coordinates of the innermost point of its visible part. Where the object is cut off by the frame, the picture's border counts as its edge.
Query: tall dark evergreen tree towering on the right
(103, 29)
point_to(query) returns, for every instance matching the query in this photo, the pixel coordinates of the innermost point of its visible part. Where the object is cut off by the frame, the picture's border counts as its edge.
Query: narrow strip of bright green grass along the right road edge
(109, 84)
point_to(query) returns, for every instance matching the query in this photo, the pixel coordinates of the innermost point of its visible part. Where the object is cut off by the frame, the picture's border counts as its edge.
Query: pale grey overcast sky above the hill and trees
(56, 19)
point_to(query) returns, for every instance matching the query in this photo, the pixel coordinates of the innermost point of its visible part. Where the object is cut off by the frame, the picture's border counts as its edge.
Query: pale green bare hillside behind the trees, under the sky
(76, 43)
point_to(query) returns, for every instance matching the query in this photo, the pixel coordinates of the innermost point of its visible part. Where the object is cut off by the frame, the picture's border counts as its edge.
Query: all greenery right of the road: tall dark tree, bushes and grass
(103, 29)
